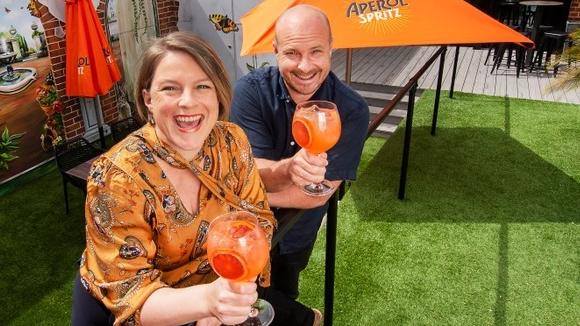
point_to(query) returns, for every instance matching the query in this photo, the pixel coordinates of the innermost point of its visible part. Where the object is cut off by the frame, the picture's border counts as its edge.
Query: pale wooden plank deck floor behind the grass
(395, 66)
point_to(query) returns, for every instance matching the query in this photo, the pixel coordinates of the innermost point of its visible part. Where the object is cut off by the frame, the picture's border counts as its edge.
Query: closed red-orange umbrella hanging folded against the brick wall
(90, 66)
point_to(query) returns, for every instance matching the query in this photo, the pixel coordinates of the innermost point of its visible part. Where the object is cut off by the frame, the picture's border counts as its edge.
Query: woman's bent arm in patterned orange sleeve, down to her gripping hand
(119, 264)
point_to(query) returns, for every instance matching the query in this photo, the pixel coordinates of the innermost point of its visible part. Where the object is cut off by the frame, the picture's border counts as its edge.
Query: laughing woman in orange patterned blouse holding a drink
(151, 197)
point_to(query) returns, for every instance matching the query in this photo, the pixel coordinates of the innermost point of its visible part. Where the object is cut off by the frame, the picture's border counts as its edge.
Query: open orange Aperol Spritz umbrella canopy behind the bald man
(382, 23)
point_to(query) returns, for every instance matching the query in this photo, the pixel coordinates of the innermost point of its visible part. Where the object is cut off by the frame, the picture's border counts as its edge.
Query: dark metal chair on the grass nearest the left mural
(69, 155)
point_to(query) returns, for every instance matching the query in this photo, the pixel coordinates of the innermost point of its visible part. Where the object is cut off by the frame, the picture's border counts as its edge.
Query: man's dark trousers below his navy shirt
(283, 291)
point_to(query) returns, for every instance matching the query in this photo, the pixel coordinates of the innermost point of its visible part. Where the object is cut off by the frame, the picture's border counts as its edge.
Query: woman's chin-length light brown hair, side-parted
(200, 51)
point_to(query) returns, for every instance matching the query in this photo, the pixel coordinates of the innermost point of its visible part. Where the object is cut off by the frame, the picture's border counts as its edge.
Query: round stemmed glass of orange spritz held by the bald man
(316, 128)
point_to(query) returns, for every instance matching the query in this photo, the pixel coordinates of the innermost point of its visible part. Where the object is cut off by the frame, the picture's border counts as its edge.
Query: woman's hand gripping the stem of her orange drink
(231, 302)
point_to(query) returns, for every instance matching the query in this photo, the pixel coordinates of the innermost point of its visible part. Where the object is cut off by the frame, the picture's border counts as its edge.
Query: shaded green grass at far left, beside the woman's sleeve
(38, 248)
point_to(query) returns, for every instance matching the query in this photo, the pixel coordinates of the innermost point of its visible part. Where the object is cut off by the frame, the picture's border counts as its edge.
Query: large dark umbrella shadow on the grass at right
(465, 175)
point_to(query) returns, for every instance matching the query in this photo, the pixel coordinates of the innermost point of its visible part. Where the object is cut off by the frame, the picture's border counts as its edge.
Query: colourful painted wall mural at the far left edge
(30, 120)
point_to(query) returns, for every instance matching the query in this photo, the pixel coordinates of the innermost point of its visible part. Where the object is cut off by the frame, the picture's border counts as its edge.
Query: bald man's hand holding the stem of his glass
(305, 168)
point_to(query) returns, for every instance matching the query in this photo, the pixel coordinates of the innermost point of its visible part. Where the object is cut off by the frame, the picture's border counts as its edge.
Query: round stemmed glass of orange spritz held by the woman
(237, 250)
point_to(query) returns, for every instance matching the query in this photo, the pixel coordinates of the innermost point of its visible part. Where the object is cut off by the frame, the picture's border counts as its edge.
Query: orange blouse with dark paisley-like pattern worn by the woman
(140, 237)
